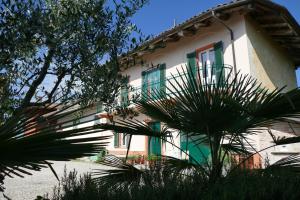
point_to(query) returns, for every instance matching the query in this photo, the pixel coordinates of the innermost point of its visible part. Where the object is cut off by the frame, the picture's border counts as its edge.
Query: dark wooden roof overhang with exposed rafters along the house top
(275, 19)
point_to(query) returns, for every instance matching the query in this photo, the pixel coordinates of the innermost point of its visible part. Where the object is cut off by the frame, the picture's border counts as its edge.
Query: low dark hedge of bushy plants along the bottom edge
(242, 185)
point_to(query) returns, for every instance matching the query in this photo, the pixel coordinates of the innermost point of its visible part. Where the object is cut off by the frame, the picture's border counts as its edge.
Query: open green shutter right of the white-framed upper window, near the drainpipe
(218, 48)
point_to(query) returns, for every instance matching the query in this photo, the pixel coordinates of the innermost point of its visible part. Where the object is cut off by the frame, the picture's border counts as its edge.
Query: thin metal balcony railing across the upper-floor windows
(209, 74)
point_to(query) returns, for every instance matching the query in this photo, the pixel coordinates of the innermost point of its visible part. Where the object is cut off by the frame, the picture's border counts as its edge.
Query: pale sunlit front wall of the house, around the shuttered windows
(174, 56)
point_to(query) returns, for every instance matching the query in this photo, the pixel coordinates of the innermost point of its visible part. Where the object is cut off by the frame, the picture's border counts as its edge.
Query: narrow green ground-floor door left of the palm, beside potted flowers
(154, 144)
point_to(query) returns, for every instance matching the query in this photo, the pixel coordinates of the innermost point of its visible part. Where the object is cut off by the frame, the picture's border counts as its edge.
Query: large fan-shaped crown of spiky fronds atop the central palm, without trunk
(235, 105)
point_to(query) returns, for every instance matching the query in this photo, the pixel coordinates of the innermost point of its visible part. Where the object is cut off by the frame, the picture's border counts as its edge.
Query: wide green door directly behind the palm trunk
(199, 152)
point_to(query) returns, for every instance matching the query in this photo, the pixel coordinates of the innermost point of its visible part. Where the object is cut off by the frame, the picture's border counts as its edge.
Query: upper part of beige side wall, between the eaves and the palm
(269, 63)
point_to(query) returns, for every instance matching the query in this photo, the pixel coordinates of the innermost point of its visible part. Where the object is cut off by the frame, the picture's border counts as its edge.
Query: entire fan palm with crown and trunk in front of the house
(220, 114)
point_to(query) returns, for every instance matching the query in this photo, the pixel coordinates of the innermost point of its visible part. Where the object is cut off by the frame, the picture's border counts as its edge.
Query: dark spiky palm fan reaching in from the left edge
(34, 137)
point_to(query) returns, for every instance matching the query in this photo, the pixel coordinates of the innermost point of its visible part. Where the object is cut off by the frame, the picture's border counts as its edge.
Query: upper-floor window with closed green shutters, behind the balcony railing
(153, 82)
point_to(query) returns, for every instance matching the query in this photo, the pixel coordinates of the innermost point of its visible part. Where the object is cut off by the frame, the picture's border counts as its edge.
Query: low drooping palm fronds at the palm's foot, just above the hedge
(122, 175)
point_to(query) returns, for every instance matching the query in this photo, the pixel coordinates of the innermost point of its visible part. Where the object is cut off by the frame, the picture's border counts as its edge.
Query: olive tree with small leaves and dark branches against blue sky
(49, 48)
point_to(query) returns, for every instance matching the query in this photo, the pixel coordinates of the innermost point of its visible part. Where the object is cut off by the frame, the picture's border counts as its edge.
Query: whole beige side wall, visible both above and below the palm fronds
(270, 64)
